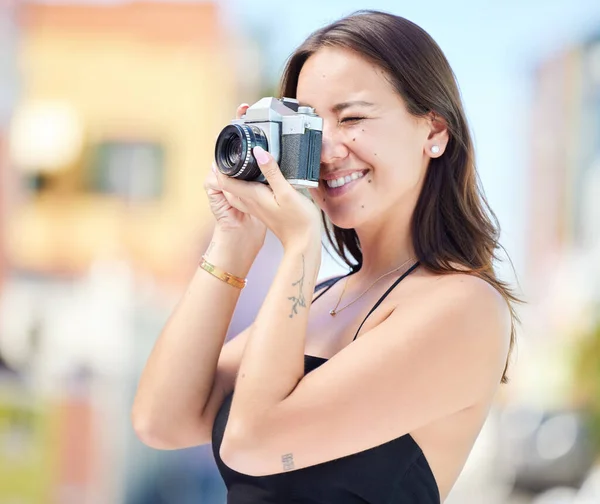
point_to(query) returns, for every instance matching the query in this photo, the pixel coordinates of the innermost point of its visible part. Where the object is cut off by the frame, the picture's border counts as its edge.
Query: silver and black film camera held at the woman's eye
(290, 133)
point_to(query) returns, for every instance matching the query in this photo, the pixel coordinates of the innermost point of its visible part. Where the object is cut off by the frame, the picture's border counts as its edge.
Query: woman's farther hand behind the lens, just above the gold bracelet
(229, 212)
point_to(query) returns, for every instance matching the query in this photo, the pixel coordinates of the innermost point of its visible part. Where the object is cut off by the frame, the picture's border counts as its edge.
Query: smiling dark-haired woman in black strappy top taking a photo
(378, 392)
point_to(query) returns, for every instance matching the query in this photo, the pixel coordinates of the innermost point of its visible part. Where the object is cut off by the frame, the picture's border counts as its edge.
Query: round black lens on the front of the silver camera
(233, 151)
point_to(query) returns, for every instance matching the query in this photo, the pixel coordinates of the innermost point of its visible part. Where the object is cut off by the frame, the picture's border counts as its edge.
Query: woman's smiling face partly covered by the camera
(368, 138)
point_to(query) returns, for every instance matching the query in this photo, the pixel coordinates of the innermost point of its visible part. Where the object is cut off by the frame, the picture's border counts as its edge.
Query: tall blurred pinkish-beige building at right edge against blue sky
(565, 168)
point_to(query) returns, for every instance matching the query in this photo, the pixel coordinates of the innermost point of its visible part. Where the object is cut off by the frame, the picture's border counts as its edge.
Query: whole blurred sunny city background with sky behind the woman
(108, 115)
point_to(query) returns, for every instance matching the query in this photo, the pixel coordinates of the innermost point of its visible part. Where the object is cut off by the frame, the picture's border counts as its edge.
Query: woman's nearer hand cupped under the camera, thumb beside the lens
(291, 216)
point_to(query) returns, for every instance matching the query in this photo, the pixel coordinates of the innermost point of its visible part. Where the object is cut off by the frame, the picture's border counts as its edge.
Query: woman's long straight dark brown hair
(453, 228)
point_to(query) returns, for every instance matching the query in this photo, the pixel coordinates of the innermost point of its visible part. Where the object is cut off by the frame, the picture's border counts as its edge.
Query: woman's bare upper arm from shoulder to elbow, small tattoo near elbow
(438, 353)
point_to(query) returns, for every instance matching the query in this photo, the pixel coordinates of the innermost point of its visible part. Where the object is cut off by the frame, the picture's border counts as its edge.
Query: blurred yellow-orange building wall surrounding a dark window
(138, 71)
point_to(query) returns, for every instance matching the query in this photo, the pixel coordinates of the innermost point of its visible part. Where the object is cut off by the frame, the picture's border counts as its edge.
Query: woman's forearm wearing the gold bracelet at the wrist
(178, 377)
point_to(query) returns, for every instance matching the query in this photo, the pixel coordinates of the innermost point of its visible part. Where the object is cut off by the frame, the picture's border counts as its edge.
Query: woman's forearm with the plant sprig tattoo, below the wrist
(273, 360)
